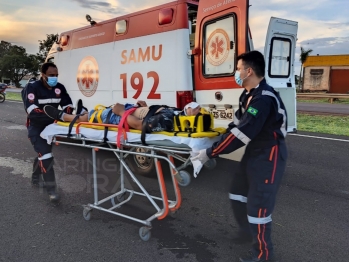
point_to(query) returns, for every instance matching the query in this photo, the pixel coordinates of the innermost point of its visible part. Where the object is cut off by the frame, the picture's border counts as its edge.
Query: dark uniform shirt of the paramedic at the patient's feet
(36, 95)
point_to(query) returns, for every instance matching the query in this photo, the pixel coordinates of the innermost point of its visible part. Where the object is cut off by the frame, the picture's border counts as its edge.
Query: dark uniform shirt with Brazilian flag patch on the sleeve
(260, 122)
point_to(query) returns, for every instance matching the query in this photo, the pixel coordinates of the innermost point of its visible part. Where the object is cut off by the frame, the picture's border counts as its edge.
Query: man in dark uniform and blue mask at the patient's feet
(37, 94)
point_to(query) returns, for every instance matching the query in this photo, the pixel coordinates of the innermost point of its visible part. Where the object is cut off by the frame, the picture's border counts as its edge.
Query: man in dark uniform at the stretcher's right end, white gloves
(260, 124)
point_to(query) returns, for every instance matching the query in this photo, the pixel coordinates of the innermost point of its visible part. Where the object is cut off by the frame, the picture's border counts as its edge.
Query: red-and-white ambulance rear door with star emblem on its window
(222, 34)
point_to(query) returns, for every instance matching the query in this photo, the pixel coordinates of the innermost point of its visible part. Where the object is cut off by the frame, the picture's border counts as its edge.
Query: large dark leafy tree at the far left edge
(15, 63)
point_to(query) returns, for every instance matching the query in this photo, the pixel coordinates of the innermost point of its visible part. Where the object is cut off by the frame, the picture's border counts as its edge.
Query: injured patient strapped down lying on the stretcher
(161, 120)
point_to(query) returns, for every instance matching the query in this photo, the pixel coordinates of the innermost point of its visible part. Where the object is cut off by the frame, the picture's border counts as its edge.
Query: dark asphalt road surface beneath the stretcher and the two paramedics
(311, 219)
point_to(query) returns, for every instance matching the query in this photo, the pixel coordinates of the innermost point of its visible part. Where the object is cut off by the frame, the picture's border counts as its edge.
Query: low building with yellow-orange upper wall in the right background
(329, 73)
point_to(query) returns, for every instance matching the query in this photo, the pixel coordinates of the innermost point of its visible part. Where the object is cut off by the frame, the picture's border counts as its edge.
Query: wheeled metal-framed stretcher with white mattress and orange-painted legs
(159, 147)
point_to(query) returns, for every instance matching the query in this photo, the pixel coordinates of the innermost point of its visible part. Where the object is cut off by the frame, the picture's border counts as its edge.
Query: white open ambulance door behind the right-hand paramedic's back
(279, 53)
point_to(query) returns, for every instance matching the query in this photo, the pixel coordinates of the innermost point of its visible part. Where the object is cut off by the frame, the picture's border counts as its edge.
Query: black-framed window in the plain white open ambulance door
(280, 58)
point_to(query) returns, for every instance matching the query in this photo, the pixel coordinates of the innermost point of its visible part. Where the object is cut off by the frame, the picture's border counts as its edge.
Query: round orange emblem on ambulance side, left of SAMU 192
(88, 76)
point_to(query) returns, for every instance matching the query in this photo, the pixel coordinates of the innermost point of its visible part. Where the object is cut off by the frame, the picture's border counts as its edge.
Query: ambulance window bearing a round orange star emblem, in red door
(219, 47)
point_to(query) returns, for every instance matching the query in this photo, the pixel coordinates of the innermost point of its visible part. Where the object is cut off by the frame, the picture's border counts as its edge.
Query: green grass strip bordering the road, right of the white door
(334, 125)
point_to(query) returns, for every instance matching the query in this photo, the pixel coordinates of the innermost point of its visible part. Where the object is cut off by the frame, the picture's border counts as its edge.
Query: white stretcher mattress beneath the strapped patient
(195, 144)
